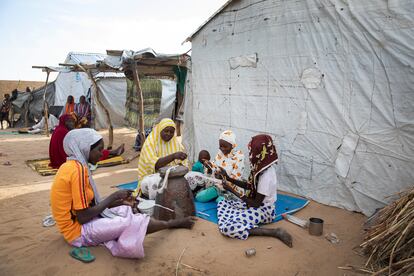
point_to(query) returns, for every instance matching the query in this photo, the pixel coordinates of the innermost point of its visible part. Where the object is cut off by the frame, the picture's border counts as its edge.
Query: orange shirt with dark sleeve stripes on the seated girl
(70, 191)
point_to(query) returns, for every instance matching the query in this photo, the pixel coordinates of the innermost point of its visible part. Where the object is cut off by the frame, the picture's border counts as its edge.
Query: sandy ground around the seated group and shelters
(28, 248)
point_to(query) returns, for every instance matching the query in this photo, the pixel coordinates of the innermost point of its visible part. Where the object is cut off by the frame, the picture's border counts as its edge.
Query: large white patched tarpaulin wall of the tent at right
(331, 81)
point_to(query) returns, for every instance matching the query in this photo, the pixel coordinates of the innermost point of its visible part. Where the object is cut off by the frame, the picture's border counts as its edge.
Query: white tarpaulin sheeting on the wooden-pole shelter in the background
(112, 86)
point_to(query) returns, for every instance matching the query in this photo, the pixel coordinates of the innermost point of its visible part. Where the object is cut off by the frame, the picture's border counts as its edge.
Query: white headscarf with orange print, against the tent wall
(233, 162)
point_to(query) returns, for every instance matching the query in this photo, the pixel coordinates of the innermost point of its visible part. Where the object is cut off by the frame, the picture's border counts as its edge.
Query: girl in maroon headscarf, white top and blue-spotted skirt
(241, 219)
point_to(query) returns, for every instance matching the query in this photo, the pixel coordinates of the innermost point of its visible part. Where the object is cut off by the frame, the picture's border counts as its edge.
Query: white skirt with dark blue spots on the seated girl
(235, 219)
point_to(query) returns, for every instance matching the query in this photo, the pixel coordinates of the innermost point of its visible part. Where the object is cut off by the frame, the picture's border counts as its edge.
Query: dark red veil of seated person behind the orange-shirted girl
(57, 154)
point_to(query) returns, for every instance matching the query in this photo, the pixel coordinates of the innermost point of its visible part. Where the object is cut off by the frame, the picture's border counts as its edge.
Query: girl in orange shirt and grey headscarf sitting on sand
(83, 218)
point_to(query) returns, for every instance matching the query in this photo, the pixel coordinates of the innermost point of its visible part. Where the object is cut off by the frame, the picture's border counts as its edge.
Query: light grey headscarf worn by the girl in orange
(77, 145)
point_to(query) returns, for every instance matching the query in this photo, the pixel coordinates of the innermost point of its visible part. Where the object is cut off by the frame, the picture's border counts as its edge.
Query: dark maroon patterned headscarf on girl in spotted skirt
(262, 154)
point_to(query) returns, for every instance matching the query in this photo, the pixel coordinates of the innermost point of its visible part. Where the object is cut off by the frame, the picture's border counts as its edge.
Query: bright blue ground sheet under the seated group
(285, 204)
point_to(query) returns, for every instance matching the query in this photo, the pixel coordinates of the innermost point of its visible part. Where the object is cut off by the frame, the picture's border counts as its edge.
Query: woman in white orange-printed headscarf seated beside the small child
(228, 158)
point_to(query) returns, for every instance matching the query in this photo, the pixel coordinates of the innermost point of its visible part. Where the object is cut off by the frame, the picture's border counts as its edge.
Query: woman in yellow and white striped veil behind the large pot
(160, 149)
